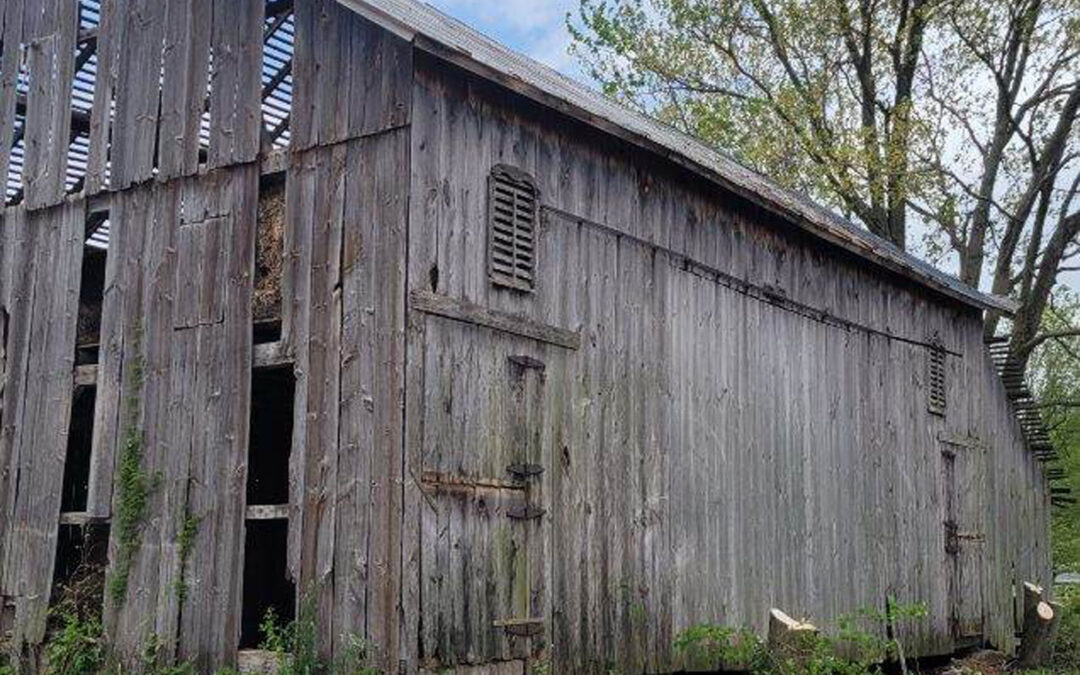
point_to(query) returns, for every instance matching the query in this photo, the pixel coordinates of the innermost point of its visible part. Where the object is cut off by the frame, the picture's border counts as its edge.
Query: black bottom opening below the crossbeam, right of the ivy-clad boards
(267, 586)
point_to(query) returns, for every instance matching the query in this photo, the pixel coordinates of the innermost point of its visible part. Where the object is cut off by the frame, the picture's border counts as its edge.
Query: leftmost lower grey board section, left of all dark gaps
(39, 299)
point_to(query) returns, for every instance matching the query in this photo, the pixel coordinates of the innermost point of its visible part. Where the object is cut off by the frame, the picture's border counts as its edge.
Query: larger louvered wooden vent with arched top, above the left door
(512, 228)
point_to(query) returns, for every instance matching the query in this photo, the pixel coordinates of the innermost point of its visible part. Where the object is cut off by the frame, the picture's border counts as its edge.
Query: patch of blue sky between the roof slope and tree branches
(534, 28)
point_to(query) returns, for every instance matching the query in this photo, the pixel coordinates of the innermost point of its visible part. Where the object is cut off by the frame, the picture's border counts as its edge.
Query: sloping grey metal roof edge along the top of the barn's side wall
(451, 39)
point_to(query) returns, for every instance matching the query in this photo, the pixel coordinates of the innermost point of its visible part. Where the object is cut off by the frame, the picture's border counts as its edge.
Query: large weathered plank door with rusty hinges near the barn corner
(485, 460)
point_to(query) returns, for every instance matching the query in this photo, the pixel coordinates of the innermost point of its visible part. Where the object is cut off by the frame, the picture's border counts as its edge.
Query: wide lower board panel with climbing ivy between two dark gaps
(175, 377)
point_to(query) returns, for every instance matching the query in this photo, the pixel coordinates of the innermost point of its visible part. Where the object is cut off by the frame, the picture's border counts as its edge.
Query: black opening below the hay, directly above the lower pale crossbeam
(272, 437)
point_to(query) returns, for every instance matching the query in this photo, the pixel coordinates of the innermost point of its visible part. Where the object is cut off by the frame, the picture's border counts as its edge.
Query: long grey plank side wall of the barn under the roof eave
(745, 427)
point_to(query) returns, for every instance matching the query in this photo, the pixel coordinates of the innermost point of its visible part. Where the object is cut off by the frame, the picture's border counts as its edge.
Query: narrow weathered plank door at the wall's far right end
(965, 467)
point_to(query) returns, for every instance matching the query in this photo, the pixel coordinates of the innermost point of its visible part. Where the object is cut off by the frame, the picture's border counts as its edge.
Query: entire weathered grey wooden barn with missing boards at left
(343, 308)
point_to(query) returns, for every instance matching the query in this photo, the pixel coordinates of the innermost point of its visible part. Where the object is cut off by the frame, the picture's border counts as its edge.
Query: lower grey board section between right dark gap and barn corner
(344, 325)
